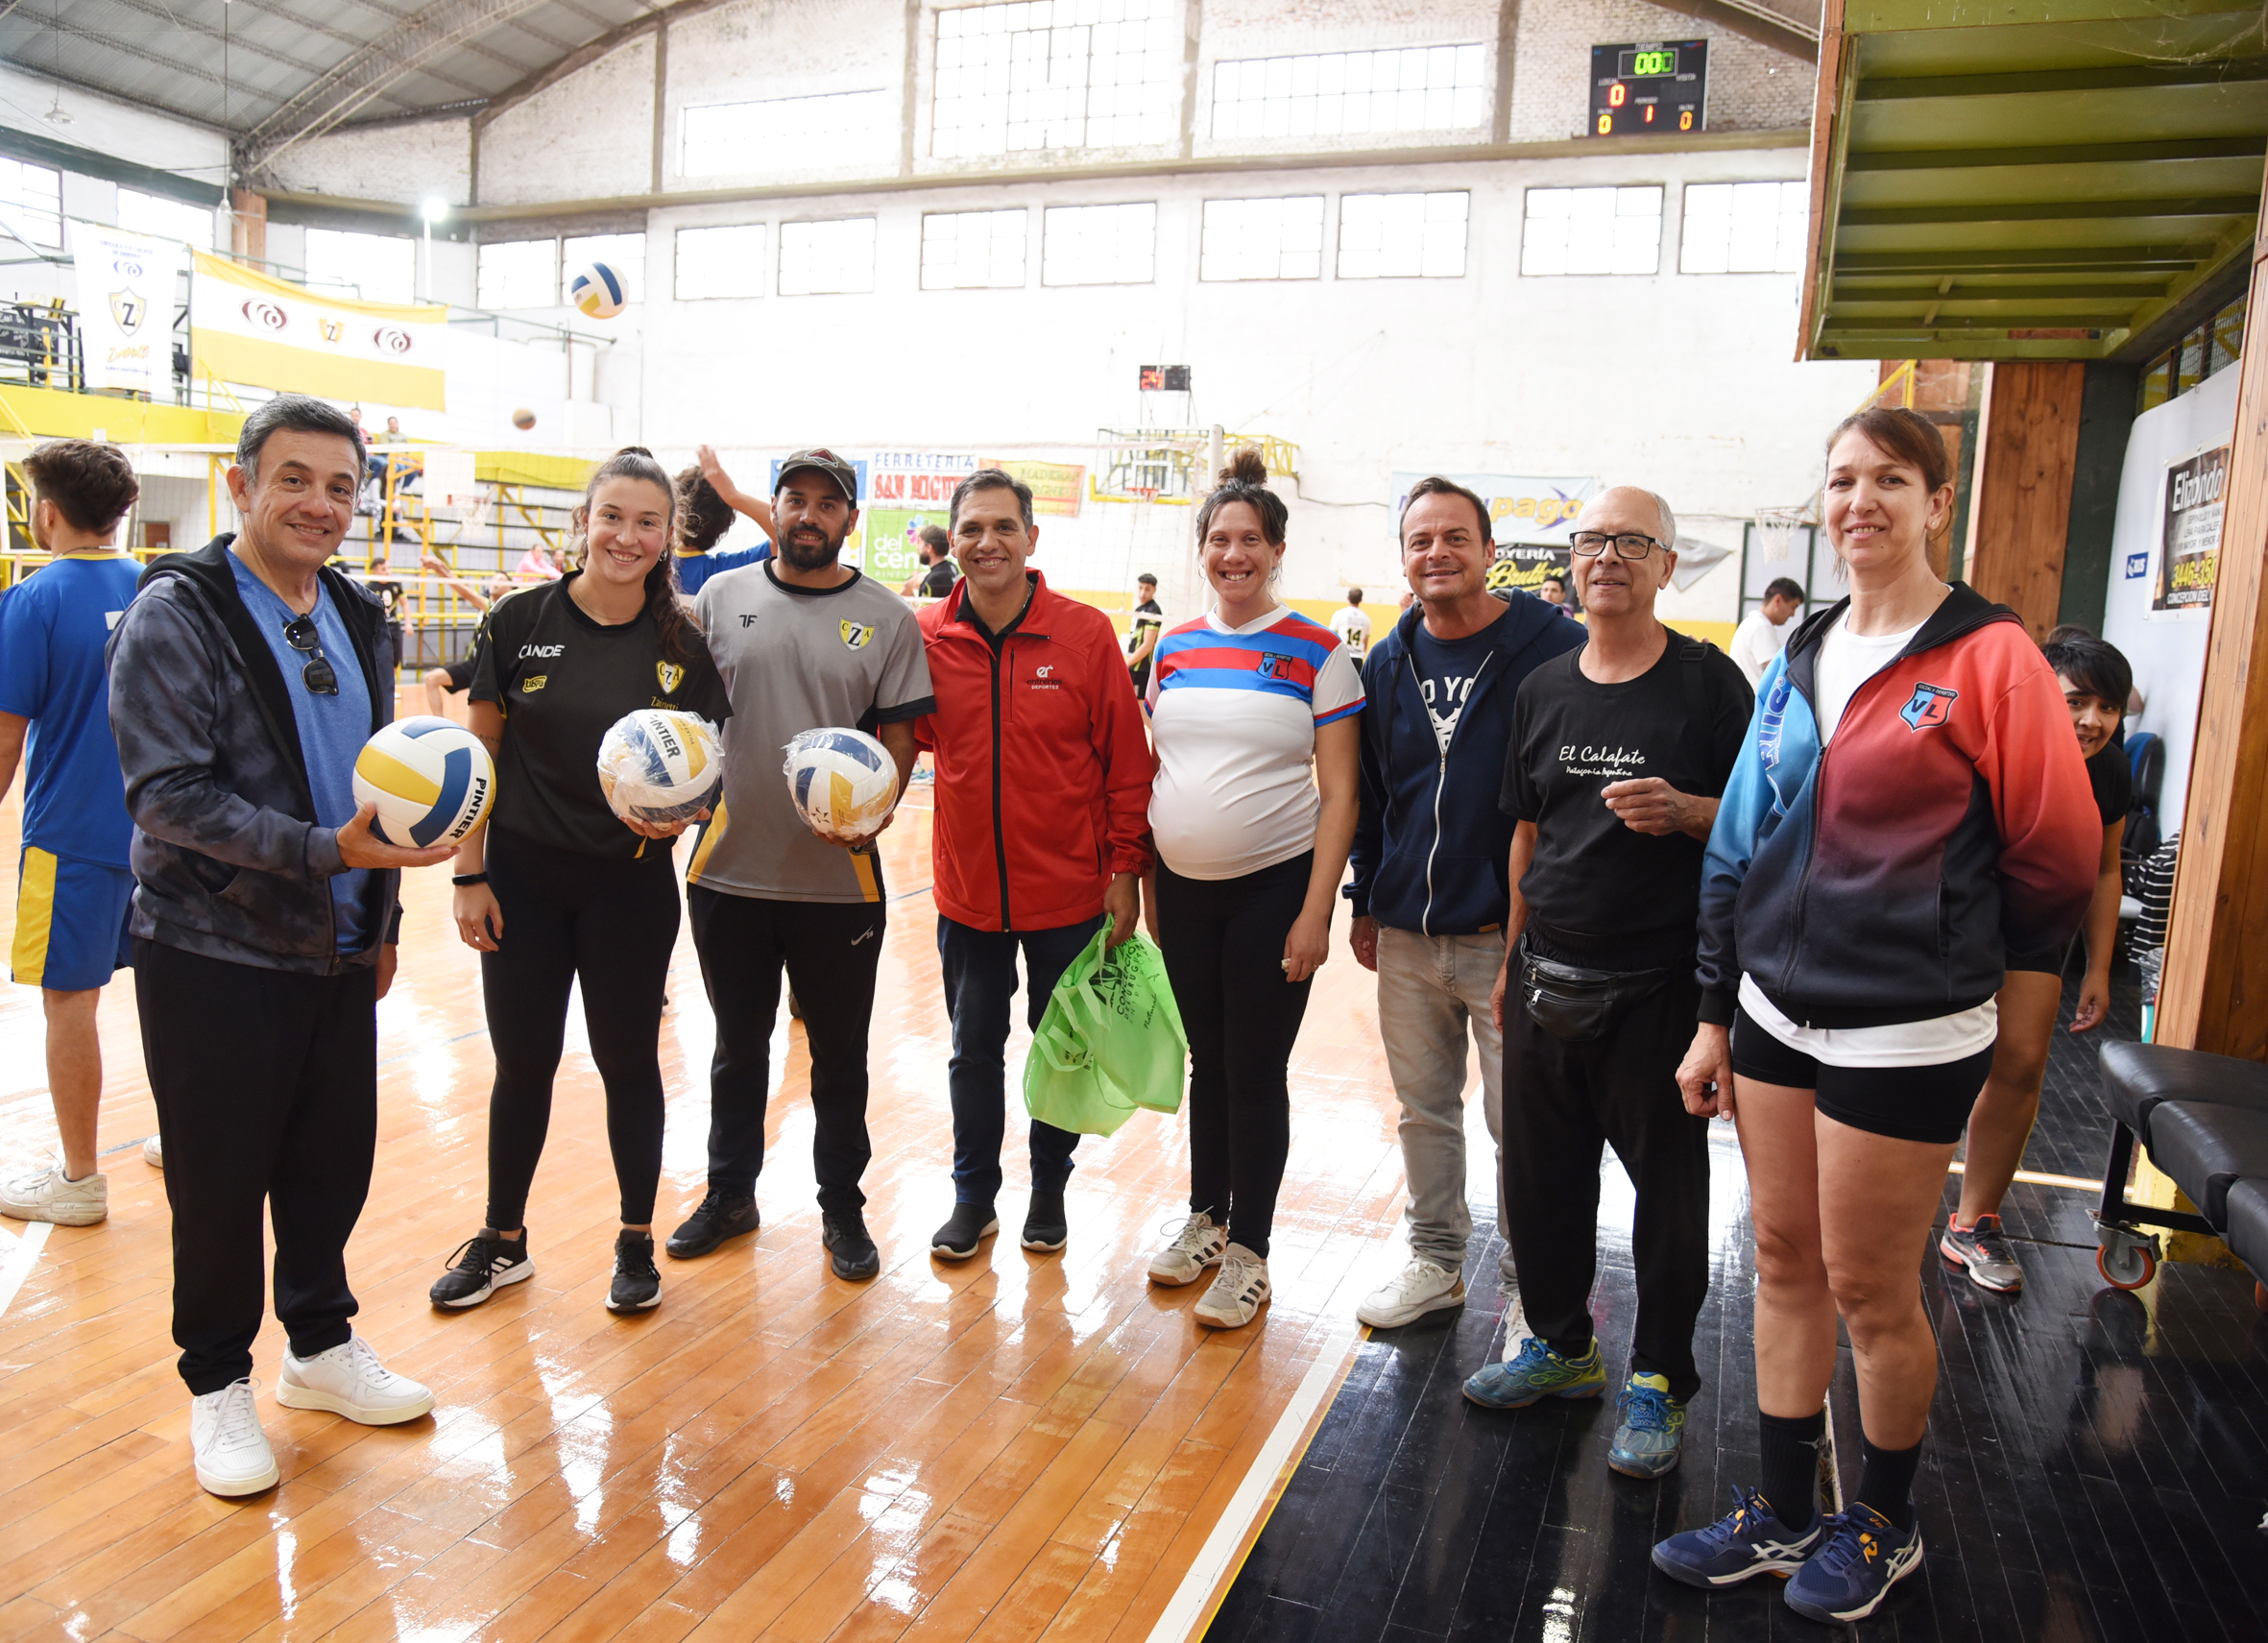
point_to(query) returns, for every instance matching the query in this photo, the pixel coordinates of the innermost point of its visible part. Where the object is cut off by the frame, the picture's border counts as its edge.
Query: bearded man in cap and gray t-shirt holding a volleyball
(802, 643)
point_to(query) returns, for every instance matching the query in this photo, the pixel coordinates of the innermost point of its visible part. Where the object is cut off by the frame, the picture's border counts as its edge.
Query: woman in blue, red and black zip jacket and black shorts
(1911, 809)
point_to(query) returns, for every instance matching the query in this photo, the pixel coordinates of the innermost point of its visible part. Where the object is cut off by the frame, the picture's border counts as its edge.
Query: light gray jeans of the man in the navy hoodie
(1432, 988)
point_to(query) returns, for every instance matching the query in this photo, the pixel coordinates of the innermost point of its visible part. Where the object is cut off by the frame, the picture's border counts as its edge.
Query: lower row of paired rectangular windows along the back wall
(1732, 228)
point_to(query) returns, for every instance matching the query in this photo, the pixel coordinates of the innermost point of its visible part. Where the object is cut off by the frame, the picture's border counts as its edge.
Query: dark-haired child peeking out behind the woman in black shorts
(2097, 682)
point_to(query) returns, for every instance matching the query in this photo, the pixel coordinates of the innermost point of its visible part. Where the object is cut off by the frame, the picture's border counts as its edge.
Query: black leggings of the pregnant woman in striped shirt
(1224, 943)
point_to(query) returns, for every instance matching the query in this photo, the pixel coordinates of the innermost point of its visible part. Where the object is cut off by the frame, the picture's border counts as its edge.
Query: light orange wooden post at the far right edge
(2215, 993)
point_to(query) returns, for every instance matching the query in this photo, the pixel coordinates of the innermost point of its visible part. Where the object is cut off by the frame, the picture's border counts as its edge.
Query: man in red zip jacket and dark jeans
(1042, 827)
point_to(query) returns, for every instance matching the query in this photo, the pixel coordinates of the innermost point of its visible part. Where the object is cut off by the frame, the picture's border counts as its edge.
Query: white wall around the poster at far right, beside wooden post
(2167, 650)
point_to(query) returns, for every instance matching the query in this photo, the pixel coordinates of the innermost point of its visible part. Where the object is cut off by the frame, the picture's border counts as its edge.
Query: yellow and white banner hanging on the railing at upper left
(269, 332)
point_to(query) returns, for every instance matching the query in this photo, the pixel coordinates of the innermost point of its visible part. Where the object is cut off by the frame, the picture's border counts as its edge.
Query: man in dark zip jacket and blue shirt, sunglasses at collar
(246, 680)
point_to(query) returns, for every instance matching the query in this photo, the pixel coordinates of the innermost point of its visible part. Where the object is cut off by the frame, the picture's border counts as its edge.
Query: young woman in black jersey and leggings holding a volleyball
(557, 886)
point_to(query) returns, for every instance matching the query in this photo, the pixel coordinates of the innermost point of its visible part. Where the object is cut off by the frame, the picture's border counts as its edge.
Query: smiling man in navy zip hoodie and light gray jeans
(1430, 863)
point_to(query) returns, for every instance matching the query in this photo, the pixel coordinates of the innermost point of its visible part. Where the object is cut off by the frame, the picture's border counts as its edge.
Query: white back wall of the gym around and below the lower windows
(1675, 382)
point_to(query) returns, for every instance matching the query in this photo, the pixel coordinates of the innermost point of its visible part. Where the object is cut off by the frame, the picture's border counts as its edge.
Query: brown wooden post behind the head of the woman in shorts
(2020, 507)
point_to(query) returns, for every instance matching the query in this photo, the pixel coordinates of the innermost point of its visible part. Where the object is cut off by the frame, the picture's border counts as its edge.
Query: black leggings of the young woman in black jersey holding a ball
(613, 925)
